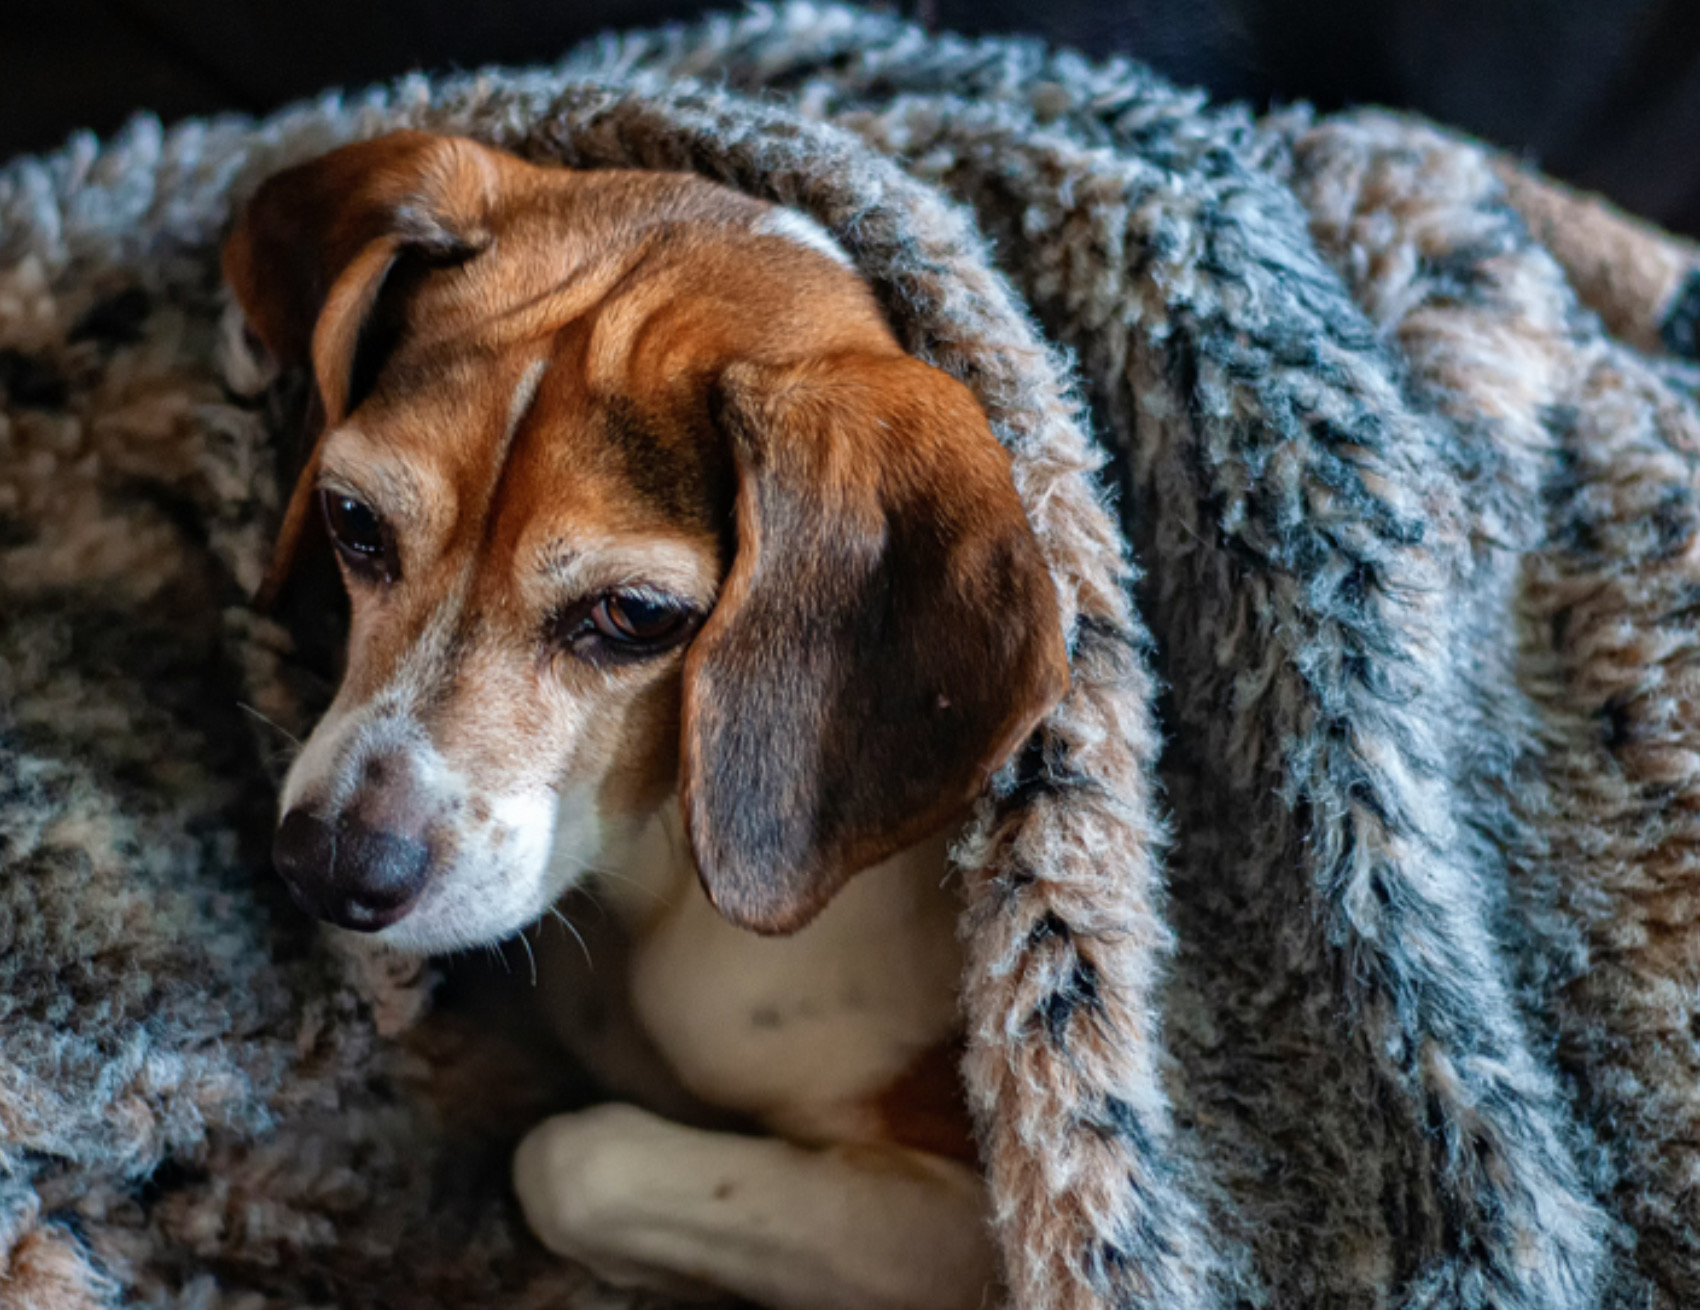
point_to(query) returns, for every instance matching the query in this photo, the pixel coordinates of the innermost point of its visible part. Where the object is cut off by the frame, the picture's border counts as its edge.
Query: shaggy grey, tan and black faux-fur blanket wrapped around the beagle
(1335, 944)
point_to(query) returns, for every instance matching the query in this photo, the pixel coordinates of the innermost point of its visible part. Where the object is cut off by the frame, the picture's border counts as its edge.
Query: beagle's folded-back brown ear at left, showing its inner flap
(315, 246)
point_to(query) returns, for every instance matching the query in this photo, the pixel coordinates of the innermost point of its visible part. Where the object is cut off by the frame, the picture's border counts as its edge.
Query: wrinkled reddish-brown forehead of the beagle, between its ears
(569, 368)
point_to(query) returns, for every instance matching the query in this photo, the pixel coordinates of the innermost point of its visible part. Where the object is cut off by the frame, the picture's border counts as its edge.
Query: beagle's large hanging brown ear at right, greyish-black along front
(887, 638)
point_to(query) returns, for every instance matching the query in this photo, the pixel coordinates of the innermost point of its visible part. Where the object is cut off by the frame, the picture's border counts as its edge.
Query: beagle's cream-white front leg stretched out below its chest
(652, 1204)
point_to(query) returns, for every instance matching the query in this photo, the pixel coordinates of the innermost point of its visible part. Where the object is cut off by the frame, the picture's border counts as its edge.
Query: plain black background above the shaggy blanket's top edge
(1602, 93)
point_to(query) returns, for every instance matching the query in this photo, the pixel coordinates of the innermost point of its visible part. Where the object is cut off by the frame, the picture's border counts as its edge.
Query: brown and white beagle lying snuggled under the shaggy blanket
(669, 572)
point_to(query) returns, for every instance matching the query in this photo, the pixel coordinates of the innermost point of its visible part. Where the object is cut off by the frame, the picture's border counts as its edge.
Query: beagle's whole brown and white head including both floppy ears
(635, 497)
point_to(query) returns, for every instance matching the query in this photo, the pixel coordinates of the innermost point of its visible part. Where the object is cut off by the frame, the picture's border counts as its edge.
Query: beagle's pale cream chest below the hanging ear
(805, 1032)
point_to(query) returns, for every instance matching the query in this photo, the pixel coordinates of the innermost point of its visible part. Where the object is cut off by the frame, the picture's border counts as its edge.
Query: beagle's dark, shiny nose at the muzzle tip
(349, 874)
